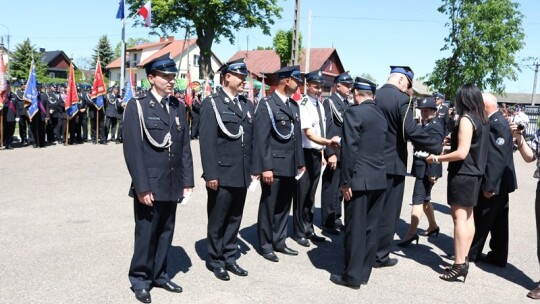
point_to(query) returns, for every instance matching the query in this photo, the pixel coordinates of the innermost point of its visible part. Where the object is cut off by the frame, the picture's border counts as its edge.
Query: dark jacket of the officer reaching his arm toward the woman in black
(394, 105)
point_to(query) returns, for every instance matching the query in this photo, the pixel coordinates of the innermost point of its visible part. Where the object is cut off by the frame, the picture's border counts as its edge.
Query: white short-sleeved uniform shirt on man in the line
(309, 119)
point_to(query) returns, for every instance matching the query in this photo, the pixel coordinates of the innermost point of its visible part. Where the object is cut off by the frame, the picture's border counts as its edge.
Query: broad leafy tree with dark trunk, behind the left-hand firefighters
(209, 20)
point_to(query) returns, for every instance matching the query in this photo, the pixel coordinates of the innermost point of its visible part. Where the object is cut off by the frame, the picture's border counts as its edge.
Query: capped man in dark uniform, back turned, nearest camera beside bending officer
(363, 180)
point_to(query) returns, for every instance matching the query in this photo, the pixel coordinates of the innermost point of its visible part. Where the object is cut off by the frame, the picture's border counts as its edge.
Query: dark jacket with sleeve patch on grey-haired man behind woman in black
(500, 175)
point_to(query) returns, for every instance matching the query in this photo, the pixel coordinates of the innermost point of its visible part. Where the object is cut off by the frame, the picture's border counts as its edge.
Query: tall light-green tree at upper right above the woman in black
(484, 37)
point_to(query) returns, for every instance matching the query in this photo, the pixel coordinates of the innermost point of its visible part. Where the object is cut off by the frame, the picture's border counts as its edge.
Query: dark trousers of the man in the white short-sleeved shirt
(304, 204)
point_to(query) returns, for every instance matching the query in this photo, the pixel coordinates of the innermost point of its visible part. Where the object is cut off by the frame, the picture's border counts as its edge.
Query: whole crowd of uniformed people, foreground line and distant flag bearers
(286, 147)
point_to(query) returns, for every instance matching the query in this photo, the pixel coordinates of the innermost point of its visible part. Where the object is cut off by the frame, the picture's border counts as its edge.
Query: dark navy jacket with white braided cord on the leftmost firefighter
(164, 171)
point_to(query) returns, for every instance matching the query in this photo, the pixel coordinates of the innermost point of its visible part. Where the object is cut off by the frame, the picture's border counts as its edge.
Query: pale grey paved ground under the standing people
(66, 236)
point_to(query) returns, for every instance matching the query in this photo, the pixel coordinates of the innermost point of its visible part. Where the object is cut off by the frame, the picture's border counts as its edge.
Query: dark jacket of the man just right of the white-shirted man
(333, 123)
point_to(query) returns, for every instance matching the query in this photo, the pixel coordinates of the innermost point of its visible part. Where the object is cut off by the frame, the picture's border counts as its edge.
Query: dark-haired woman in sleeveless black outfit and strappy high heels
(467, 162)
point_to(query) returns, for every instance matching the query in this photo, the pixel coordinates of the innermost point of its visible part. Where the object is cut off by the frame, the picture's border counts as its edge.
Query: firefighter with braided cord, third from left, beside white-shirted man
(278, 157)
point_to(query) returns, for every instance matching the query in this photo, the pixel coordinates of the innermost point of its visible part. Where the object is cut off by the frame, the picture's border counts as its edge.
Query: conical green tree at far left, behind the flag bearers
(21, 62)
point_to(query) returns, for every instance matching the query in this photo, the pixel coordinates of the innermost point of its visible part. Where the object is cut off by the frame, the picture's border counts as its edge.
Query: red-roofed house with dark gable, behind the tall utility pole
(263, 64)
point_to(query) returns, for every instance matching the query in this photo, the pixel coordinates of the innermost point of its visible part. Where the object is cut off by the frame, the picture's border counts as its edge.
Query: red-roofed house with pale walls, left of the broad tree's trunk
(183, 52)
